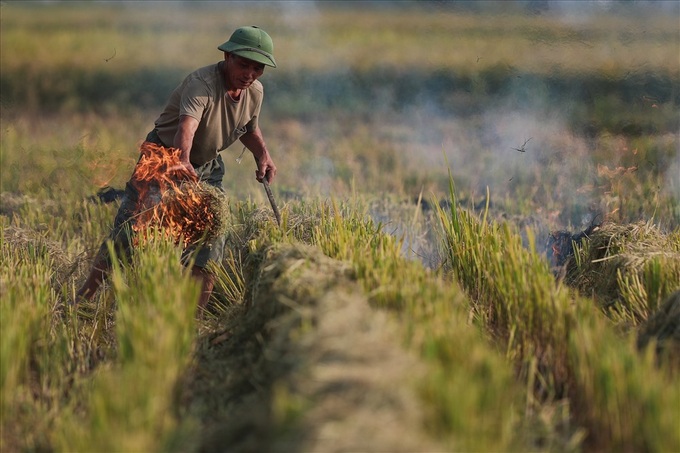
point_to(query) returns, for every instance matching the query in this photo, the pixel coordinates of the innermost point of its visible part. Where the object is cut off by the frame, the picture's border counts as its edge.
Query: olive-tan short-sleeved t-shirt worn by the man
(221, 121)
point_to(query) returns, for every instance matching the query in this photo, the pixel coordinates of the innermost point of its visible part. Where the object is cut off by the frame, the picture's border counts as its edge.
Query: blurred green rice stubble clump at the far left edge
(34, 351)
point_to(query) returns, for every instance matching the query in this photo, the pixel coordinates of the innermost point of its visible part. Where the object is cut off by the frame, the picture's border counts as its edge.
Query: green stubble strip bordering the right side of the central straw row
(472, 402)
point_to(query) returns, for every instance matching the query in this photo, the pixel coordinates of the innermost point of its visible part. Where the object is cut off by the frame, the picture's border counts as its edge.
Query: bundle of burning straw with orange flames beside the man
(173, 200)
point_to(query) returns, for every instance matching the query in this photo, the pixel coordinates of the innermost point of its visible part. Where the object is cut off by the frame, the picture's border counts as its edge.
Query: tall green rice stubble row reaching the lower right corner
(620, 396)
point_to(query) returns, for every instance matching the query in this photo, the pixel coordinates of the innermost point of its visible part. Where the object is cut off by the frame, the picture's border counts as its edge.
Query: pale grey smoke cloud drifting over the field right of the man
(522, 148)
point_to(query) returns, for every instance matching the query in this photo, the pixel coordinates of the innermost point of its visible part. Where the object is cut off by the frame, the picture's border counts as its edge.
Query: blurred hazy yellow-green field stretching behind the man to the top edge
(378, 98)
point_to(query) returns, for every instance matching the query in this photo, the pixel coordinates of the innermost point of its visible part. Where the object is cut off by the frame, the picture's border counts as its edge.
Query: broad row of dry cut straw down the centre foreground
(309, 367)
